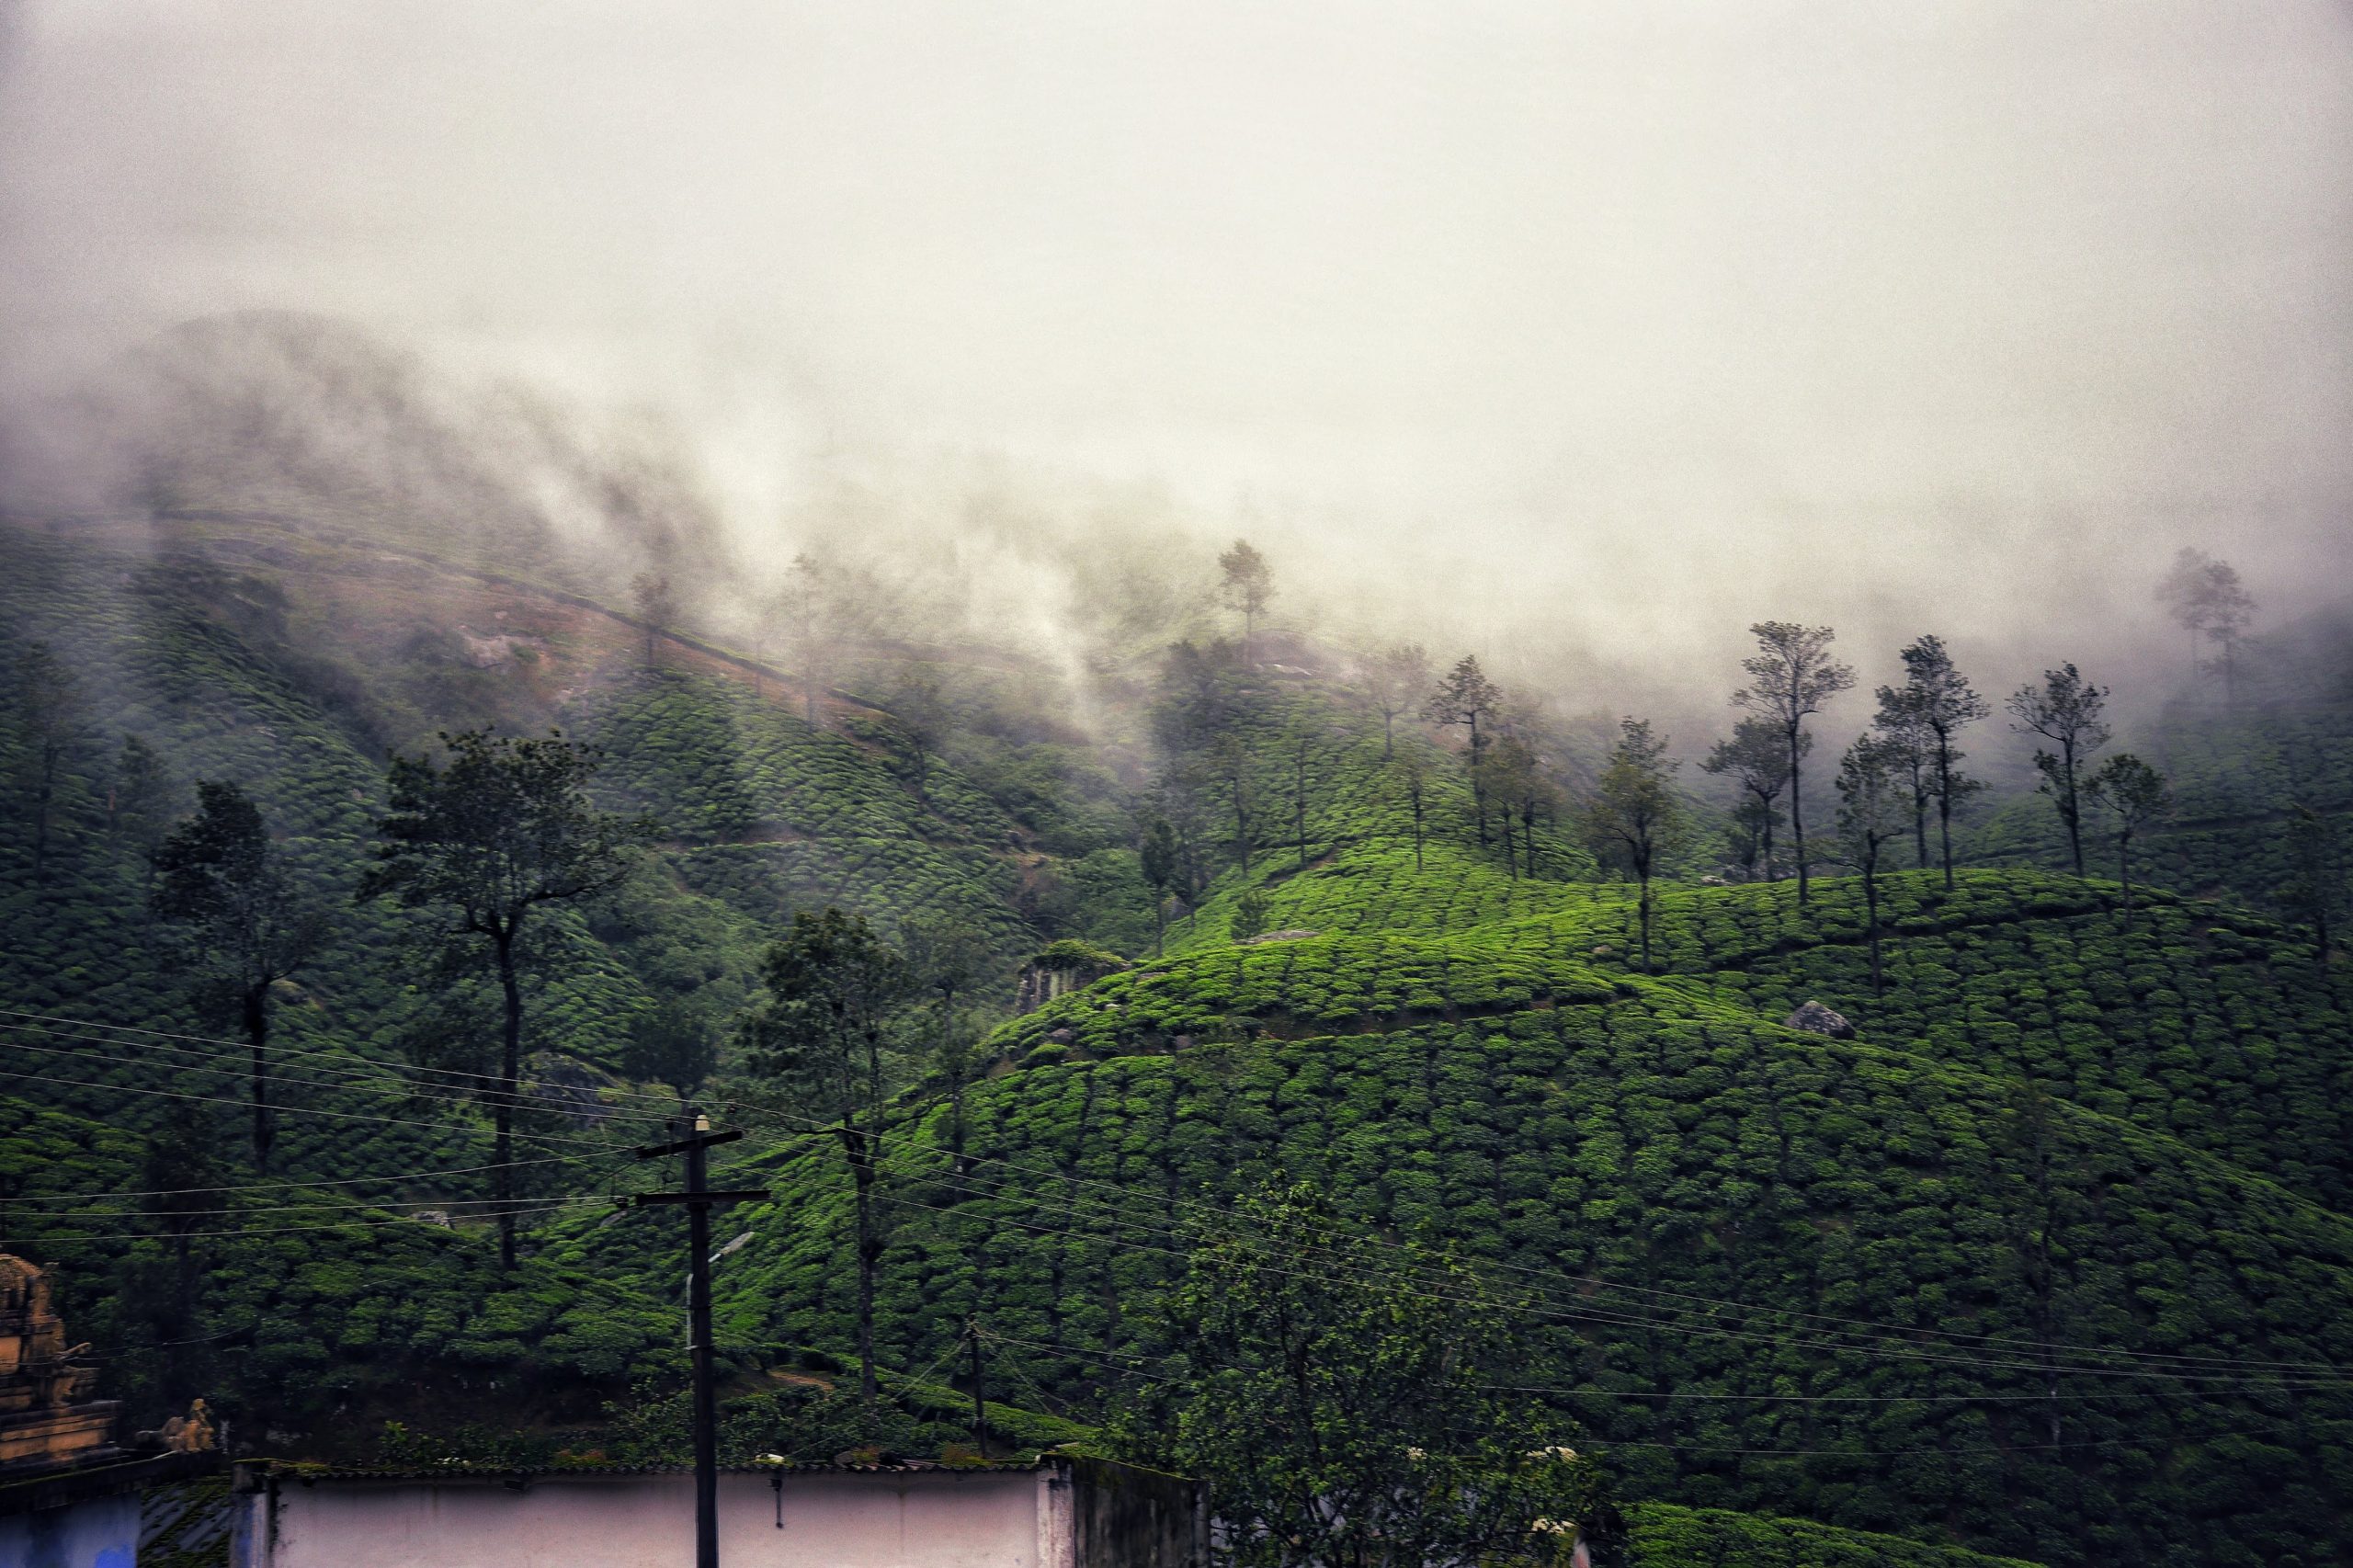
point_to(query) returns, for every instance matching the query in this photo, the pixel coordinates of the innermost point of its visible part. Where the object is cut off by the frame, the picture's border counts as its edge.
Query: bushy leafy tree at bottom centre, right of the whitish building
(1349, 1404)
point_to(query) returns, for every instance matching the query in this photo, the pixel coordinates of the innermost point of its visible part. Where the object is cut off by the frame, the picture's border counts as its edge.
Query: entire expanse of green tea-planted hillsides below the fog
(2048, 1261)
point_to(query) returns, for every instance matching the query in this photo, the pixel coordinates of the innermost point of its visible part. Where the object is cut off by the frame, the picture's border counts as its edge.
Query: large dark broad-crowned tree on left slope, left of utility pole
(484, 839)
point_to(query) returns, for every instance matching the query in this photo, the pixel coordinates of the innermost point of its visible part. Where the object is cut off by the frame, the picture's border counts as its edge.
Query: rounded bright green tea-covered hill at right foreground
(2041, 1263)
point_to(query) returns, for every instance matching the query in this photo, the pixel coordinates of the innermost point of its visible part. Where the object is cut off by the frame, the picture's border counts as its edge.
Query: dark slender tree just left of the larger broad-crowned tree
(220, 877)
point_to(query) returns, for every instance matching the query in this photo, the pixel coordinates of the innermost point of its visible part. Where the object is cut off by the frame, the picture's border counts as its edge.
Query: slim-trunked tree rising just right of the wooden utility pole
(832, 988)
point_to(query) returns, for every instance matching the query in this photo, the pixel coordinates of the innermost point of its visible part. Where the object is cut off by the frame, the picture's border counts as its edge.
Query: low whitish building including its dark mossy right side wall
(1055, 1513)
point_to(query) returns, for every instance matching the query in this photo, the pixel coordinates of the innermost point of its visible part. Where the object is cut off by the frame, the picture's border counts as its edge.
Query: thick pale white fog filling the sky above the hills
(1582, 335)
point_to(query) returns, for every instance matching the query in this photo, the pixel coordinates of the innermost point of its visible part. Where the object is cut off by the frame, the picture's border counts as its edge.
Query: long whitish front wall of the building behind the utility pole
(924, 1520)
